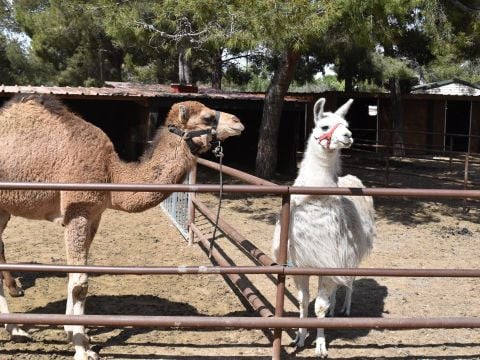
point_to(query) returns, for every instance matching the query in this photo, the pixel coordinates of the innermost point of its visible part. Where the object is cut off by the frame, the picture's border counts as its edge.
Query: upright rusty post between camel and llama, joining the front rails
(282, 259)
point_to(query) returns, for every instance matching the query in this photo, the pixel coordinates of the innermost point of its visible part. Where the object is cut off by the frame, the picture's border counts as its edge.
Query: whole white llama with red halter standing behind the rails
(326, 231)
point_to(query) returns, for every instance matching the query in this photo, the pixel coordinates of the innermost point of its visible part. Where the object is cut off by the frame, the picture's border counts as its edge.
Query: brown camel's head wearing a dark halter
(192, 117)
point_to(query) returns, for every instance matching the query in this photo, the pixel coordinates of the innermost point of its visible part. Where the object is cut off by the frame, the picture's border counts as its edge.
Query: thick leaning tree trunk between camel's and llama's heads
(266, 161)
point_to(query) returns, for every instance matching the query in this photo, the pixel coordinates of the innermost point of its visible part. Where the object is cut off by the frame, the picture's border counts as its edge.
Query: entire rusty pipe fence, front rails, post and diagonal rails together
(276, 322)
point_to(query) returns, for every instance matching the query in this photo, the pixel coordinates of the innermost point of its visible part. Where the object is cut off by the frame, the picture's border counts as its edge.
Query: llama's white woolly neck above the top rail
(318, 167)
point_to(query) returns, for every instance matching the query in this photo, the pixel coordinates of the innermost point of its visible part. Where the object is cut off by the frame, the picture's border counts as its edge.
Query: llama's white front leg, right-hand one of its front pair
(322, 304)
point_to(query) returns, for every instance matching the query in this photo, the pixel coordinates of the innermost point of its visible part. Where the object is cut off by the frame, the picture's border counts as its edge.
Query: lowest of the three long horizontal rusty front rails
(240, 322)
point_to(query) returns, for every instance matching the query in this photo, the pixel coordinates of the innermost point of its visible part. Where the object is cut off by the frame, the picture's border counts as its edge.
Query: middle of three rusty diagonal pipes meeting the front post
(234, 235)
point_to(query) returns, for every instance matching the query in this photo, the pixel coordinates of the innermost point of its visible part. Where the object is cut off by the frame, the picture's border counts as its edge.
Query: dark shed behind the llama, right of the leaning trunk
(433, 122)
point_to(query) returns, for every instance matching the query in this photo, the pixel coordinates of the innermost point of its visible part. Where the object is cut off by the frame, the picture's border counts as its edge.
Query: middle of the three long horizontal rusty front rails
(206, 270)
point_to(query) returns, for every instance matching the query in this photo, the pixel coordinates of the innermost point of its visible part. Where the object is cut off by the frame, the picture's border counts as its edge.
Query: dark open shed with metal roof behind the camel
(130, 114)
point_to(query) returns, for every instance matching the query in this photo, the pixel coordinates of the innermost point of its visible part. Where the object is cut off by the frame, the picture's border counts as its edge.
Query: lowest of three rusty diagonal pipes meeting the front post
(241, 282)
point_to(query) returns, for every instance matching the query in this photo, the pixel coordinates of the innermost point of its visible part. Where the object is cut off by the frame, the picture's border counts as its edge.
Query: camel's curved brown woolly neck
(169, 163)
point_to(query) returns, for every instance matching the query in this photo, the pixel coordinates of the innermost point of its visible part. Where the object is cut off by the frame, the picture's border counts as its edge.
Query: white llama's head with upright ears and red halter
(331, 129)
